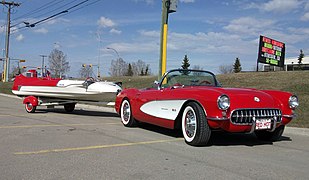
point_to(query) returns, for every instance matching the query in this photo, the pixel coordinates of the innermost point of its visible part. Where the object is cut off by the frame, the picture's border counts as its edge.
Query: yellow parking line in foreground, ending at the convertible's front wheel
(96, 147)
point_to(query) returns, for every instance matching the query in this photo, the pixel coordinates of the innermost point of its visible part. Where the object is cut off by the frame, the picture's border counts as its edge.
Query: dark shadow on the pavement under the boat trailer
(79, 112)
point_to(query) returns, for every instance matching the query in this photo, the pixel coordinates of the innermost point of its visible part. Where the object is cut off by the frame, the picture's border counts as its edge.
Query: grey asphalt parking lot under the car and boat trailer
(91, 143)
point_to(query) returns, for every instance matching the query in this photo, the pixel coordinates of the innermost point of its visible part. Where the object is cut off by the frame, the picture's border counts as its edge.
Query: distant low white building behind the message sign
(290, 64)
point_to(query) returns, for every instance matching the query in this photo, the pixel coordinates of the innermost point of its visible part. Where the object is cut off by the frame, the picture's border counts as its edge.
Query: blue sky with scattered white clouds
(211, 33)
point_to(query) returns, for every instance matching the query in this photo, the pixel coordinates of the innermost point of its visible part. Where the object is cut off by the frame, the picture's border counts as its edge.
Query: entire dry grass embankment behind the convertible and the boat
(296, 82)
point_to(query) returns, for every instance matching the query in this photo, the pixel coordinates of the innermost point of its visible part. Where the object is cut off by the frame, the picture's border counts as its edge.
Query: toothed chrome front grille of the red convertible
(247, 116)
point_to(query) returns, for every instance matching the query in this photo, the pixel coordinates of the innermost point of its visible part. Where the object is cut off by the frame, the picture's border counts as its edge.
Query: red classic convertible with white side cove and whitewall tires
(194, 101)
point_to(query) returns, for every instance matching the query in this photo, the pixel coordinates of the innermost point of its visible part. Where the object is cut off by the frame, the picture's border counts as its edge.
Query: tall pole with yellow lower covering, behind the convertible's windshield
(168, 6)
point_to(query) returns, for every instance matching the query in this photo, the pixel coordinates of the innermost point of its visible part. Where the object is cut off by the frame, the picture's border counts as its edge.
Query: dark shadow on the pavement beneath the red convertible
(217, 138)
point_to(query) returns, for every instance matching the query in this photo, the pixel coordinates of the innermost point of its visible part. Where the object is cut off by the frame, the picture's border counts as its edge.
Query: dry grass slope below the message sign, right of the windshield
(296, 82)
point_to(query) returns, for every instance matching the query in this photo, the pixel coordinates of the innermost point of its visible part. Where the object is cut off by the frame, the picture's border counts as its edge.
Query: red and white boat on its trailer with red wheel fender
(50, 91)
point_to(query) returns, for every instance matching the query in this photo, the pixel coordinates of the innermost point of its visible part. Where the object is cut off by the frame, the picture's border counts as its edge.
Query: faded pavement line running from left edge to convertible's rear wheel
(53, 125)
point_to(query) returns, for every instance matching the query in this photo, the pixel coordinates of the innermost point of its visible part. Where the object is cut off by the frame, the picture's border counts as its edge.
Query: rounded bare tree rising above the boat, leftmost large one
(58, 63)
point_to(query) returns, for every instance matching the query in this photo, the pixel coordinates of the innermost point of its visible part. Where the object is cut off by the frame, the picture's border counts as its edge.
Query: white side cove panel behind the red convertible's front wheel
(166, 109)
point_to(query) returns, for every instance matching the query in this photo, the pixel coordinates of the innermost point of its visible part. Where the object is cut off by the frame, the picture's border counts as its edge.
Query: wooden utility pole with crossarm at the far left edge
(7, 42)
